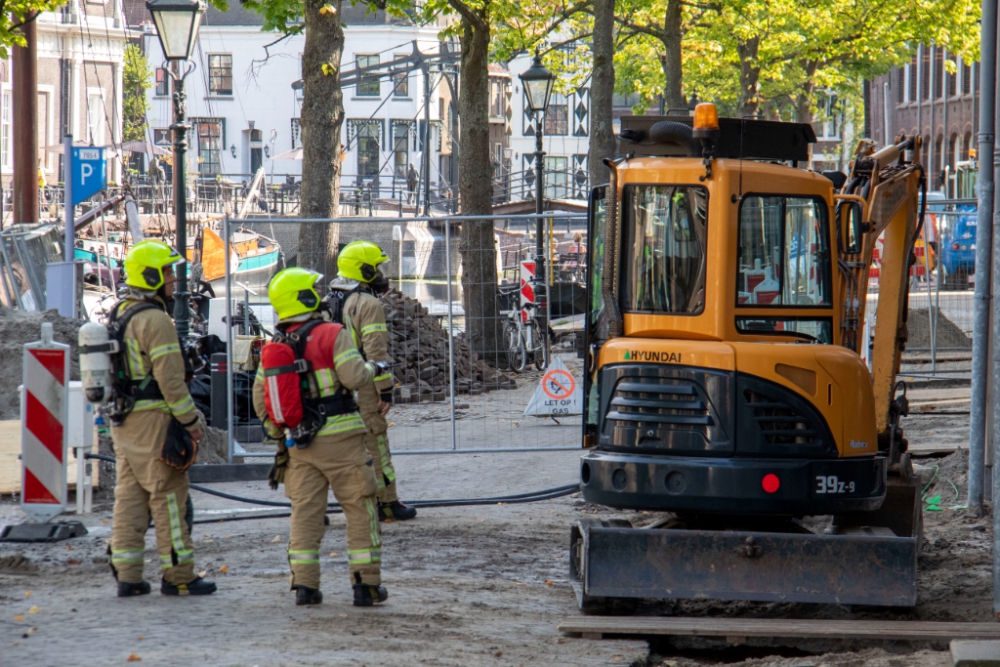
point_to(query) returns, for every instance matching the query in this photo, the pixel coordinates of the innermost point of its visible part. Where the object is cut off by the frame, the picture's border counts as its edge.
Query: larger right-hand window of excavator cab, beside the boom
(783, 253)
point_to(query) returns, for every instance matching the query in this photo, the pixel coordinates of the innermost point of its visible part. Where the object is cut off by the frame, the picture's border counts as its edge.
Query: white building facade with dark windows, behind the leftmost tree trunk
(244, 111)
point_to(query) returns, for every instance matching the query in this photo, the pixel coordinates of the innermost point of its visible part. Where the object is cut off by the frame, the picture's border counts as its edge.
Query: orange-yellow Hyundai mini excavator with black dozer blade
(725, 381)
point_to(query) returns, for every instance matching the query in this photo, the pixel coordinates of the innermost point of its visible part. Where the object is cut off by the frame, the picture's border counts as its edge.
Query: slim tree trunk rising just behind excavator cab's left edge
(602, 89)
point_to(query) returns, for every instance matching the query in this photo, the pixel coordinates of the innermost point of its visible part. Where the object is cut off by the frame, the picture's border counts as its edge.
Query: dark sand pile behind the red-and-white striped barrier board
(18, 327)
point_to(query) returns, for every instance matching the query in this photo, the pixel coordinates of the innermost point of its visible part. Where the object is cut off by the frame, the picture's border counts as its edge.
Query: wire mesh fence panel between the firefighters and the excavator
(455, 391)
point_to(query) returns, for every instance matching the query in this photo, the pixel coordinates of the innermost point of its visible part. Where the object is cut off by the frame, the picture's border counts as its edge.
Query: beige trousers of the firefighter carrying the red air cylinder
(341, 463)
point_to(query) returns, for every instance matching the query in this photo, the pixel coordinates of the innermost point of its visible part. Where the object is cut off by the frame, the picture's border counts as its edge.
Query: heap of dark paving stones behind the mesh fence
(418, 345)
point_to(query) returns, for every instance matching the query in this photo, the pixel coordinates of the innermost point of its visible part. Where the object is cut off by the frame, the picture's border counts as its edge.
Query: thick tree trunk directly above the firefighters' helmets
(322, 117)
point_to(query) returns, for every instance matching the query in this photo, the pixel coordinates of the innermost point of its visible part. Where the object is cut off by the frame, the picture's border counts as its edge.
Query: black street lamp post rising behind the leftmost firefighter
(177, 23)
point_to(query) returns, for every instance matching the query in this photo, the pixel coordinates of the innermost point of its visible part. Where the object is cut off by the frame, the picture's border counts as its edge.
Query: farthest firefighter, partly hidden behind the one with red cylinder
(363, 283)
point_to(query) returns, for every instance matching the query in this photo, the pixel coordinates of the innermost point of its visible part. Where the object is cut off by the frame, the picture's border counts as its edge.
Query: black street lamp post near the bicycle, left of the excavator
(537, 82)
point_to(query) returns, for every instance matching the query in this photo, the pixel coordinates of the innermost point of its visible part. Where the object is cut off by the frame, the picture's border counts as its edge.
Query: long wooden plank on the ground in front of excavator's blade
(773, 627)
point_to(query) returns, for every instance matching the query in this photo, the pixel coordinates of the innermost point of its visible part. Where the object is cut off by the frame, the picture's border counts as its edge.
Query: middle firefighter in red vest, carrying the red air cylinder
(336, 457)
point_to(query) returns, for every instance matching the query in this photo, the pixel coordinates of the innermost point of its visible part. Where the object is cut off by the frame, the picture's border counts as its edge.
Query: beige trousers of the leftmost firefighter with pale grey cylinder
(147, 486)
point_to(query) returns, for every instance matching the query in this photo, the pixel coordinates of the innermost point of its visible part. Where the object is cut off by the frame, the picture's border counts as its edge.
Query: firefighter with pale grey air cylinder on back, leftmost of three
(151, 446)
